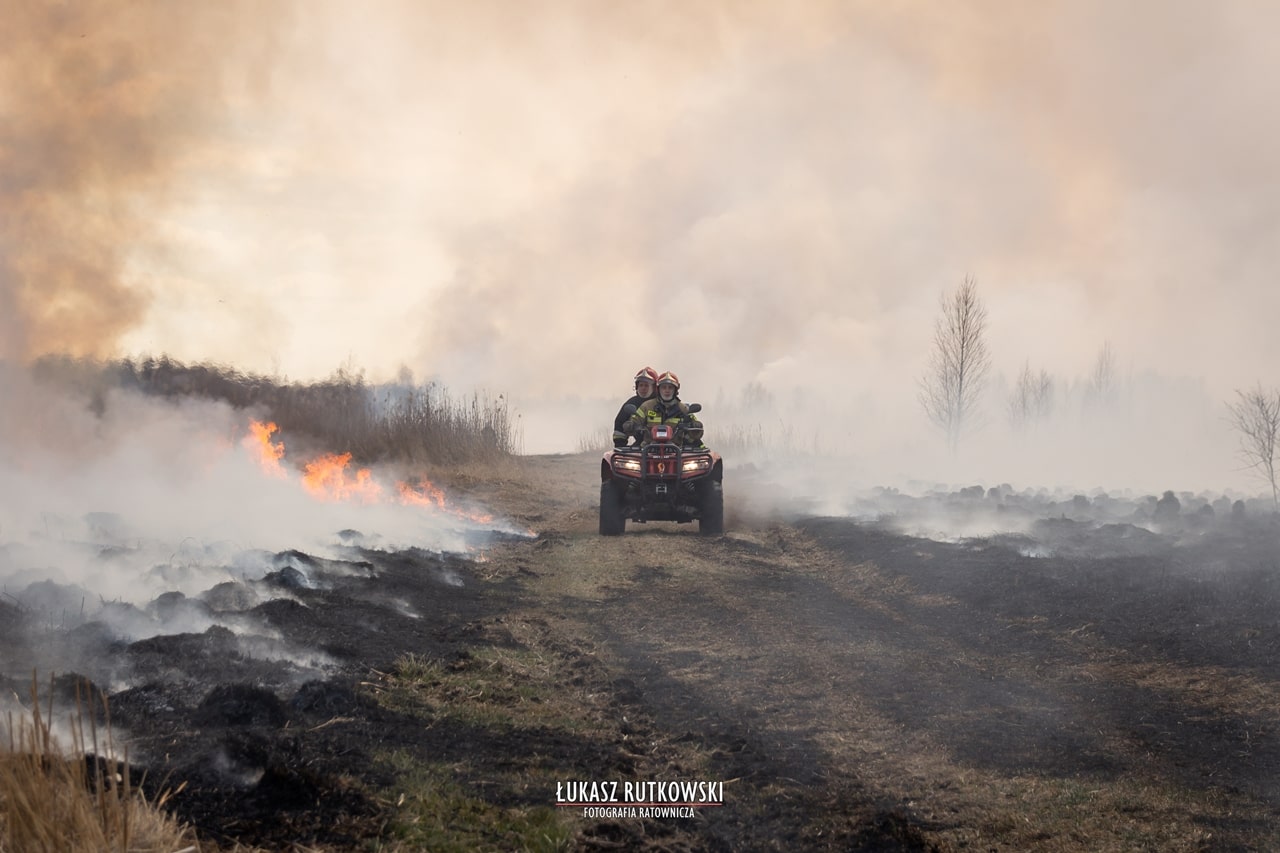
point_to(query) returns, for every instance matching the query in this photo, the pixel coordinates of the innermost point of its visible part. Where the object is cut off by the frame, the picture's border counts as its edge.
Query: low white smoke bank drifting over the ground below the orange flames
(127, 499)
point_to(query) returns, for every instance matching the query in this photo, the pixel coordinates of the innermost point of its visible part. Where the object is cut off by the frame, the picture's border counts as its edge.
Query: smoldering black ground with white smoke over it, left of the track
(158, 576)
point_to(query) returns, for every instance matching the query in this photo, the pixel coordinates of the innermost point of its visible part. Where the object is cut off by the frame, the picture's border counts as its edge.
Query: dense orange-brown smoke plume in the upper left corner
(102, 108)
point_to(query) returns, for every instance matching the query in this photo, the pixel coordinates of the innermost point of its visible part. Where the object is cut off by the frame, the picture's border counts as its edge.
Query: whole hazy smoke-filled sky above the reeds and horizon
(540, 198)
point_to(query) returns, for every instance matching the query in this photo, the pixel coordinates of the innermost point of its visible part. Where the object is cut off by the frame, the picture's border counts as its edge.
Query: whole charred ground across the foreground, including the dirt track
(1091, 683)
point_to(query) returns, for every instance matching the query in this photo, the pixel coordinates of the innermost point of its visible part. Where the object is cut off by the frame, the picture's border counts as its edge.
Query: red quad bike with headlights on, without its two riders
(664, 481)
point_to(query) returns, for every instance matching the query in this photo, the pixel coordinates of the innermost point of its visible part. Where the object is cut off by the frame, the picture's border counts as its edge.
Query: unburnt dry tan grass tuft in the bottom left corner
(70, 797)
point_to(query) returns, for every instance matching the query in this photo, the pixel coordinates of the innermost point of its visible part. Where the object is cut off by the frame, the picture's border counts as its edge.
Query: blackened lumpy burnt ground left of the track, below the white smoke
(245, 696)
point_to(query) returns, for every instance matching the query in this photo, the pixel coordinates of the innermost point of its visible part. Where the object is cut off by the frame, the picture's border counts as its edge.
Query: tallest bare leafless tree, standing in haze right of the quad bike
(958, 368)
